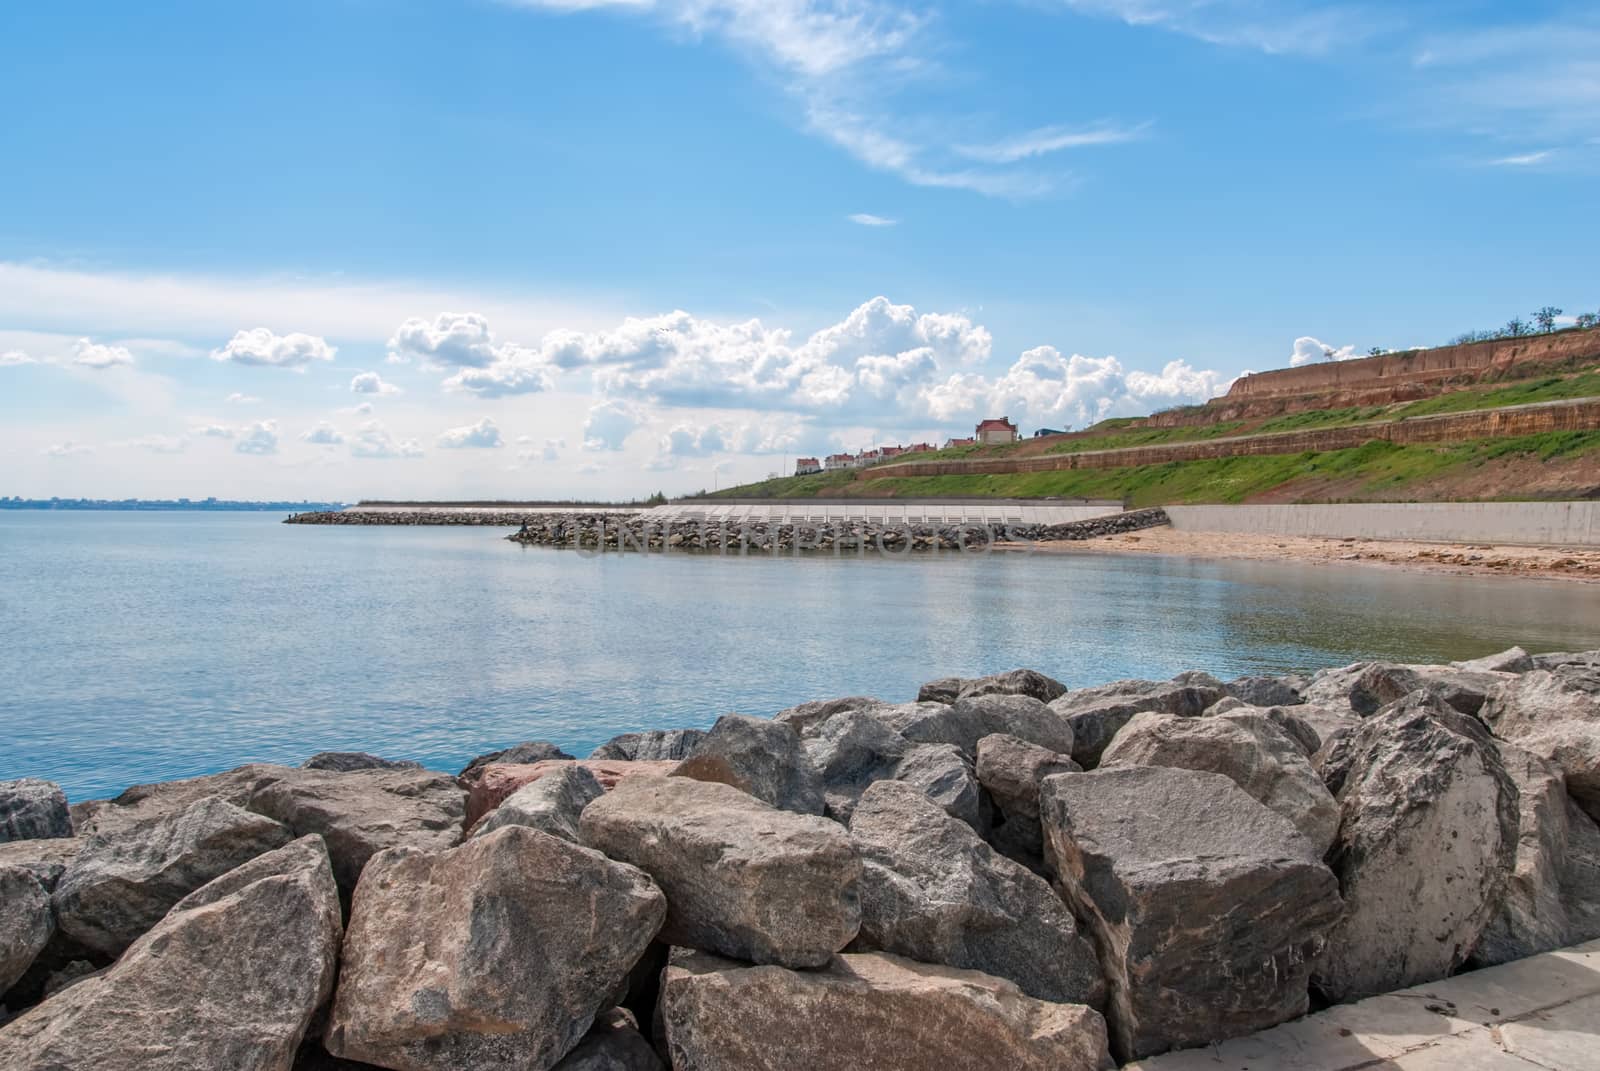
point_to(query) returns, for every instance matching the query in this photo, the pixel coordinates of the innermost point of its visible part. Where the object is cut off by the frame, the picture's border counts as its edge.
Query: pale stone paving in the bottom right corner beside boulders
(1537, 1013)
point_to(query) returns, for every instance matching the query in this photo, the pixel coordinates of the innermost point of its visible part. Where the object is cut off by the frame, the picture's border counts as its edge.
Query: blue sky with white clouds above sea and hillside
(598, 247)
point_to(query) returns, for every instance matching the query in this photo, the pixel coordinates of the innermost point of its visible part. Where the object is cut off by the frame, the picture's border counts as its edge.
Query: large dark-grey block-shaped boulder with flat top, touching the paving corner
(1206, 905)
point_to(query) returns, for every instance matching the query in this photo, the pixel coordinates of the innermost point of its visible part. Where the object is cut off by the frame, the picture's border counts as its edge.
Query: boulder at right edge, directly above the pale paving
(1553, 897)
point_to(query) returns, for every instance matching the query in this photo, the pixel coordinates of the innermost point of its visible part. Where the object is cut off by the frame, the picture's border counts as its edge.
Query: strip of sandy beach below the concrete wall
(1449, 558)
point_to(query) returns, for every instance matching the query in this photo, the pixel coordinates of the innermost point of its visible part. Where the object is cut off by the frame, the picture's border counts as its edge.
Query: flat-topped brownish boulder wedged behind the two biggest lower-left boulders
(366, 812)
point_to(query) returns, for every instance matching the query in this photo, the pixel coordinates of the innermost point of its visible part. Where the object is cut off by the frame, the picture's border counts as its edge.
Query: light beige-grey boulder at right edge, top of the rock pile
(1554, 715)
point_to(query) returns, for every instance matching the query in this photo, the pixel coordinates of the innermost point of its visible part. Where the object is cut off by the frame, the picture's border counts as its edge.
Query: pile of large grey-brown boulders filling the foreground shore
(1002, 873)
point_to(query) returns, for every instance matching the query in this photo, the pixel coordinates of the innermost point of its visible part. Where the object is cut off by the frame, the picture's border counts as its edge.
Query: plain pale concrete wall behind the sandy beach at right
(1527, 524)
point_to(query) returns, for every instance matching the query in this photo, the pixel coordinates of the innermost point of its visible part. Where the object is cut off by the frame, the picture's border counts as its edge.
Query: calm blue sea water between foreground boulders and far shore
(138, 648)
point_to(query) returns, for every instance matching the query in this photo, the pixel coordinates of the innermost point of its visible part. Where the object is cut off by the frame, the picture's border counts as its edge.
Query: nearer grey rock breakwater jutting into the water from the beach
(847, 537)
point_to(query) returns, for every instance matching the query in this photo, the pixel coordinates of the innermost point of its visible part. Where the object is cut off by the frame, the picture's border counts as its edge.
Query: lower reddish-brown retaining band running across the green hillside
(1500, 423)
